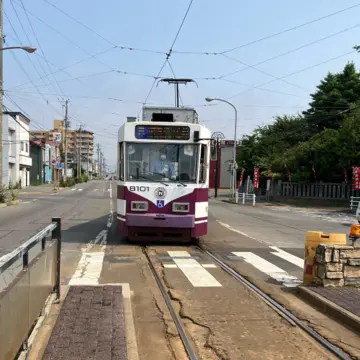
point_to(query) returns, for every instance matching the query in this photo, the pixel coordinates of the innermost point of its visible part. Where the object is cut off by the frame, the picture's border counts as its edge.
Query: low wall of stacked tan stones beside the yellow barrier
(337, 265)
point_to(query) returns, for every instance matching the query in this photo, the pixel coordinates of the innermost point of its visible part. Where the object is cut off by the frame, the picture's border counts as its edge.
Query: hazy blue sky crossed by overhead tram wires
(210, 27)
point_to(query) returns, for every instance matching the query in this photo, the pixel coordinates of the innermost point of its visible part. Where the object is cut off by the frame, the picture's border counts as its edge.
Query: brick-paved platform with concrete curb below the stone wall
(341, 303)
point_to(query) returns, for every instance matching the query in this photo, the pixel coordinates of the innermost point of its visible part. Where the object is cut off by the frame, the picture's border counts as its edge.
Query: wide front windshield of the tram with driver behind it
(161, 162)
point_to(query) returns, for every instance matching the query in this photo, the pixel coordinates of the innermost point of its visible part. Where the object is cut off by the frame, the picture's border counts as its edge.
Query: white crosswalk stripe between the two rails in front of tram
(196, 274)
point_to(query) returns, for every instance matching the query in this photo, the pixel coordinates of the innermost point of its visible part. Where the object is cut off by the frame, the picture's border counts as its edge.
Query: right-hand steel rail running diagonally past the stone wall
(287, 314)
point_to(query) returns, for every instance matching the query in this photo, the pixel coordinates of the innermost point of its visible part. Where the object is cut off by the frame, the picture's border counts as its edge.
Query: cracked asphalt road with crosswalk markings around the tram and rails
(223, 319)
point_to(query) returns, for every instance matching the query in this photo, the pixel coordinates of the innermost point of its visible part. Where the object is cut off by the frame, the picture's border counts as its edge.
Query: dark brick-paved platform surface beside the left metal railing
(90, 326)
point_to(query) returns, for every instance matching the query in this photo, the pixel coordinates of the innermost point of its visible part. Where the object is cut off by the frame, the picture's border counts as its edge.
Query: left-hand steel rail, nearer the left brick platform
(167, 299)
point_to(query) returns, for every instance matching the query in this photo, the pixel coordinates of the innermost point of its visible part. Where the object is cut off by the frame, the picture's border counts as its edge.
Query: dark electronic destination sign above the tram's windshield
(161, 132)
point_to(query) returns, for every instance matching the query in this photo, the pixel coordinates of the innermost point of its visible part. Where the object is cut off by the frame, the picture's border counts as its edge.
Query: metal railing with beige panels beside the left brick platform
(22, 300)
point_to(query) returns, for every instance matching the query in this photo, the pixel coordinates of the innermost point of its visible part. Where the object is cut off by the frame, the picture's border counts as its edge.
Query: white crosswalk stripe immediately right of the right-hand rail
(270, 269)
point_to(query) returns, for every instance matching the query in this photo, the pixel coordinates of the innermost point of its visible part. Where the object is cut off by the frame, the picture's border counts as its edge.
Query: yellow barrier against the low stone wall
(313, 239)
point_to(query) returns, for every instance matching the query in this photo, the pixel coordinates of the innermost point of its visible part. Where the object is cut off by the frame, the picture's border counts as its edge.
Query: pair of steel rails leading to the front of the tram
(287, 315)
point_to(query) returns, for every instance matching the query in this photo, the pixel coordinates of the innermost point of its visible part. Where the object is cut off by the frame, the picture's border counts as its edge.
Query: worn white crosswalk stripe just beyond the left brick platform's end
(89, 269)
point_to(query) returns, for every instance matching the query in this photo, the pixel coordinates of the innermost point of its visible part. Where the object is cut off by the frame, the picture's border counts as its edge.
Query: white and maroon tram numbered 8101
(163, 176)
